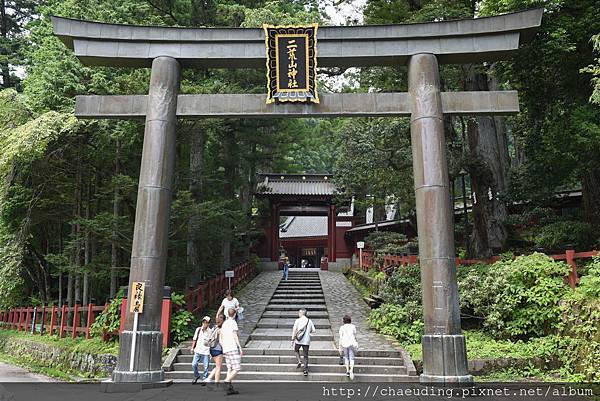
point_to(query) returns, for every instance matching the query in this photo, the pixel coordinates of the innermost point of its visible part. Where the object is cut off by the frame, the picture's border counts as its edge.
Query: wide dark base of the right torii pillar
(445, 359)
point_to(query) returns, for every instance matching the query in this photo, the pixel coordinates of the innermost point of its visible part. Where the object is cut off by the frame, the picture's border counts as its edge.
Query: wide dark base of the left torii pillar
(147, 367)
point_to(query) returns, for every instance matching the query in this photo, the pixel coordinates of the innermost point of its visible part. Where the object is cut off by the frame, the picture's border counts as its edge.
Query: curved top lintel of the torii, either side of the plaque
(456, 41)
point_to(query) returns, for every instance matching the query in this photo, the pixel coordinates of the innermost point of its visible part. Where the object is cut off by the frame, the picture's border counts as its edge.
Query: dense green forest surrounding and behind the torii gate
(68, 186)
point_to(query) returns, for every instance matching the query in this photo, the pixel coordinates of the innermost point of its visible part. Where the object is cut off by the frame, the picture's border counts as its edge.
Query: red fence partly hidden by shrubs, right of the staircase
(569, 256)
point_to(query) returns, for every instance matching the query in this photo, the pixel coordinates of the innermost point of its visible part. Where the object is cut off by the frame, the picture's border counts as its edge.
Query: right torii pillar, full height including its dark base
(444, 351)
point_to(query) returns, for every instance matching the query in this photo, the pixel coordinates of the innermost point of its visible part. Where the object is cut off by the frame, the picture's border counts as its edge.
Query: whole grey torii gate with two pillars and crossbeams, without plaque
(420, 46)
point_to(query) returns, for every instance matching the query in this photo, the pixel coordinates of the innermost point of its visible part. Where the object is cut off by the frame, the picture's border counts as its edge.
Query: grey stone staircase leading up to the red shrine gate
(268, 354)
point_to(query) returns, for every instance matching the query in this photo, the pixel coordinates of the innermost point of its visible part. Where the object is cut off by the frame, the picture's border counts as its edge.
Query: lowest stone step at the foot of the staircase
(247, 376)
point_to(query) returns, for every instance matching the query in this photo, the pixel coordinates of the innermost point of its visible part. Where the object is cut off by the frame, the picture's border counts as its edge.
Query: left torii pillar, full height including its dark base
(149, 249)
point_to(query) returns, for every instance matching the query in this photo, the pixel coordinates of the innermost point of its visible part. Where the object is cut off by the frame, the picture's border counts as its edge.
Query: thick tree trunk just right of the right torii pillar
(488, 170)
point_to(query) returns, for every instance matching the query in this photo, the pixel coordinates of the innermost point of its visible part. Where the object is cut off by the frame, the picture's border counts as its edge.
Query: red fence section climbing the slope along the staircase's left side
(209, 292)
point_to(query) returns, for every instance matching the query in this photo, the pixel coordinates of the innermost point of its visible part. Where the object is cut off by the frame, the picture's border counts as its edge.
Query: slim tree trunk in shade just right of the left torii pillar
(193, 247)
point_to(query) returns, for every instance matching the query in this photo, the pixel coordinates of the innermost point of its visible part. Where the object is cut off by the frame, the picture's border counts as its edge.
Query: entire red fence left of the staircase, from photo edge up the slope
(77, 320)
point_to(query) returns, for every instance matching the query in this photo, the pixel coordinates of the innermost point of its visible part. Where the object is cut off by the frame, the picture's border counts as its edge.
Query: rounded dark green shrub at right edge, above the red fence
(556, 236)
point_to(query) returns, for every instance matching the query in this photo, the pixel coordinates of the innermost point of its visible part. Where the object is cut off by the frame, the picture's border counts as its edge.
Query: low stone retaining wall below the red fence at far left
(98, 365)
